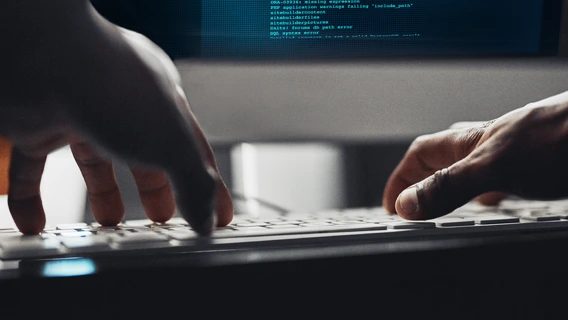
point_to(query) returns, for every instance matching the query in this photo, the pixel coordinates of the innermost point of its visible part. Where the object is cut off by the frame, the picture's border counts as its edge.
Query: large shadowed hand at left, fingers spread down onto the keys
(71, 77)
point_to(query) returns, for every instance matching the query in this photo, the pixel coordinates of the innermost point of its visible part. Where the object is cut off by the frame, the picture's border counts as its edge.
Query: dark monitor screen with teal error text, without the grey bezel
(338, 29)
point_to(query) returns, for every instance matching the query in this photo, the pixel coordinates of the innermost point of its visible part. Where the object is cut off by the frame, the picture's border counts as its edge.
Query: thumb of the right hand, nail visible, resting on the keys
(444, 191)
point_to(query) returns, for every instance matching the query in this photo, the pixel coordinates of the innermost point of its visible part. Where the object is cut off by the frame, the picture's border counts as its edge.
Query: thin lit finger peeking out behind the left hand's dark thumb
(224, 203)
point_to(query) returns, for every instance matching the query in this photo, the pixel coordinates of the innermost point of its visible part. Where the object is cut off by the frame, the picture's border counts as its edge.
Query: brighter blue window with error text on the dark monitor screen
(369, 28)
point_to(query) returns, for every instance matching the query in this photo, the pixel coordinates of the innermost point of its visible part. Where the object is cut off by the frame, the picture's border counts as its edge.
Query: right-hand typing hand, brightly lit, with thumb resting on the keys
(522, 153)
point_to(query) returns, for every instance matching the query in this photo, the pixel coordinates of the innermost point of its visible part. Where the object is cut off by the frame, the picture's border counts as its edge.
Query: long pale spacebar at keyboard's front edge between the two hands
(303, 230)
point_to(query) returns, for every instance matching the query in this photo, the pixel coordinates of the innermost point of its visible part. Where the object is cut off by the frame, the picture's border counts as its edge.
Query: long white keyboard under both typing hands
(277, 229)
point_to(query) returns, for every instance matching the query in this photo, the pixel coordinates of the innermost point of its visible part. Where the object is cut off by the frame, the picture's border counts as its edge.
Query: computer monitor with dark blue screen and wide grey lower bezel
(364, 70)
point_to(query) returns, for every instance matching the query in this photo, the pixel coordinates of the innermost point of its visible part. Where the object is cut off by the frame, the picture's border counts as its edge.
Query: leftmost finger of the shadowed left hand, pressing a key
(24, 200)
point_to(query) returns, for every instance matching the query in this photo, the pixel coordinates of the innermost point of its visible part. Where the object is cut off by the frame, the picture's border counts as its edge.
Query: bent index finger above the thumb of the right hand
(426, 155)
